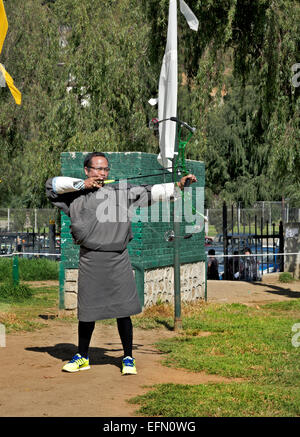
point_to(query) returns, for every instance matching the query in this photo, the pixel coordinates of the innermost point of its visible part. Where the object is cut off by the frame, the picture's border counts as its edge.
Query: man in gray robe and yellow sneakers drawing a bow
(106, 285)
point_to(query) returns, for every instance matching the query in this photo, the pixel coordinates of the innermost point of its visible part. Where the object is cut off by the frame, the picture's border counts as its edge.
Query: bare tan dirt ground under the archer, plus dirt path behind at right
(33, 385)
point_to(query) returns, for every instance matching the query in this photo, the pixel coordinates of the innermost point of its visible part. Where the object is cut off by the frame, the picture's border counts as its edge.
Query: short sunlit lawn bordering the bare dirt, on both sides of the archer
(249, 346)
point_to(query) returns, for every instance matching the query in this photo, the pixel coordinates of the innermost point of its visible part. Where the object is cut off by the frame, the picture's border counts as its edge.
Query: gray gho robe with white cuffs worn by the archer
(100, 224)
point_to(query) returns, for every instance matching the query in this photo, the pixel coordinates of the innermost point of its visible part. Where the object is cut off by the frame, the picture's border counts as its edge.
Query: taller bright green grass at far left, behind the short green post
(37, 269)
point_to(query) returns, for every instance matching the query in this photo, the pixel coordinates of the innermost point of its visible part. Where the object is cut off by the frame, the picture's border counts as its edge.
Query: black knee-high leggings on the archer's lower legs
(85, 331)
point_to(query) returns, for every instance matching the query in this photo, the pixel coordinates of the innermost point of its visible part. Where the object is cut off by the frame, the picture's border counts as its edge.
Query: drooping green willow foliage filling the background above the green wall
(234, 86)
